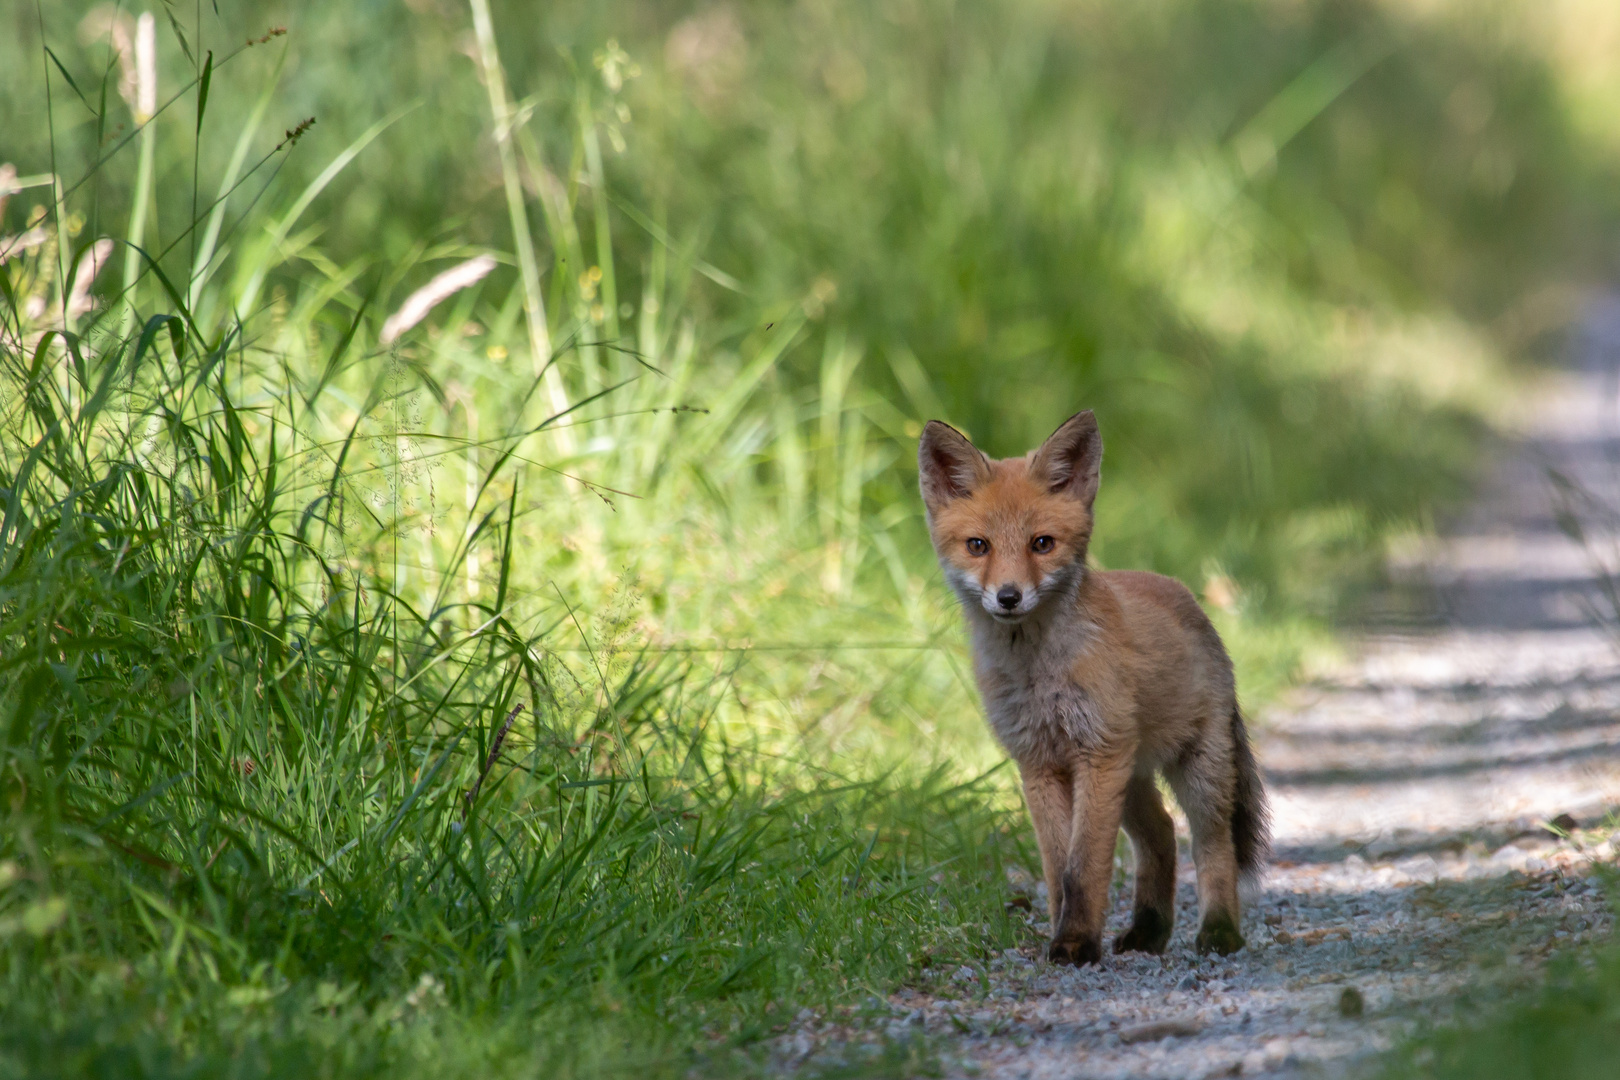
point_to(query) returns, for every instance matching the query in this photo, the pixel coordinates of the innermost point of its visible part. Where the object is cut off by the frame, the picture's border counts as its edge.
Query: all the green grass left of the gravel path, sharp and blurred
(271, 589)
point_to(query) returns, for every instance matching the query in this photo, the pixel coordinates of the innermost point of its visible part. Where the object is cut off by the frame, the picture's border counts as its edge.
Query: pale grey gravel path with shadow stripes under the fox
(1412, 789)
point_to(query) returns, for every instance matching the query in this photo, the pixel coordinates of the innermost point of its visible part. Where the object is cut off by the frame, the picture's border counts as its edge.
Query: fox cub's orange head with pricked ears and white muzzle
(1012, 534)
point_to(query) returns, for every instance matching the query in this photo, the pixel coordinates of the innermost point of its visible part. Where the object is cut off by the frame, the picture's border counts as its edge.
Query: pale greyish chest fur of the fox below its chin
(1034, 704)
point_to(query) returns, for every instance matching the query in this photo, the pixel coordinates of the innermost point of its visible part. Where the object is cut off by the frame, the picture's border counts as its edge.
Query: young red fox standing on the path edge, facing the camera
(1094, 681)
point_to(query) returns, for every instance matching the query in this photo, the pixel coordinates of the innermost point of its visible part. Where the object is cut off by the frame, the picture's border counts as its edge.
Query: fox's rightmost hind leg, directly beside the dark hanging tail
(1204, 781)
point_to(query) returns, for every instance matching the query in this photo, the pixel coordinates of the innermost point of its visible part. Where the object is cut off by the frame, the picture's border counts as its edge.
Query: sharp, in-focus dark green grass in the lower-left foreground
(242, 825)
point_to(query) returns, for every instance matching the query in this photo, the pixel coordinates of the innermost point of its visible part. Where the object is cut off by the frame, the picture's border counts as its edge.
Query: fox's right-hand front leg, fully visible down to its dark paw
(1099, 797)
